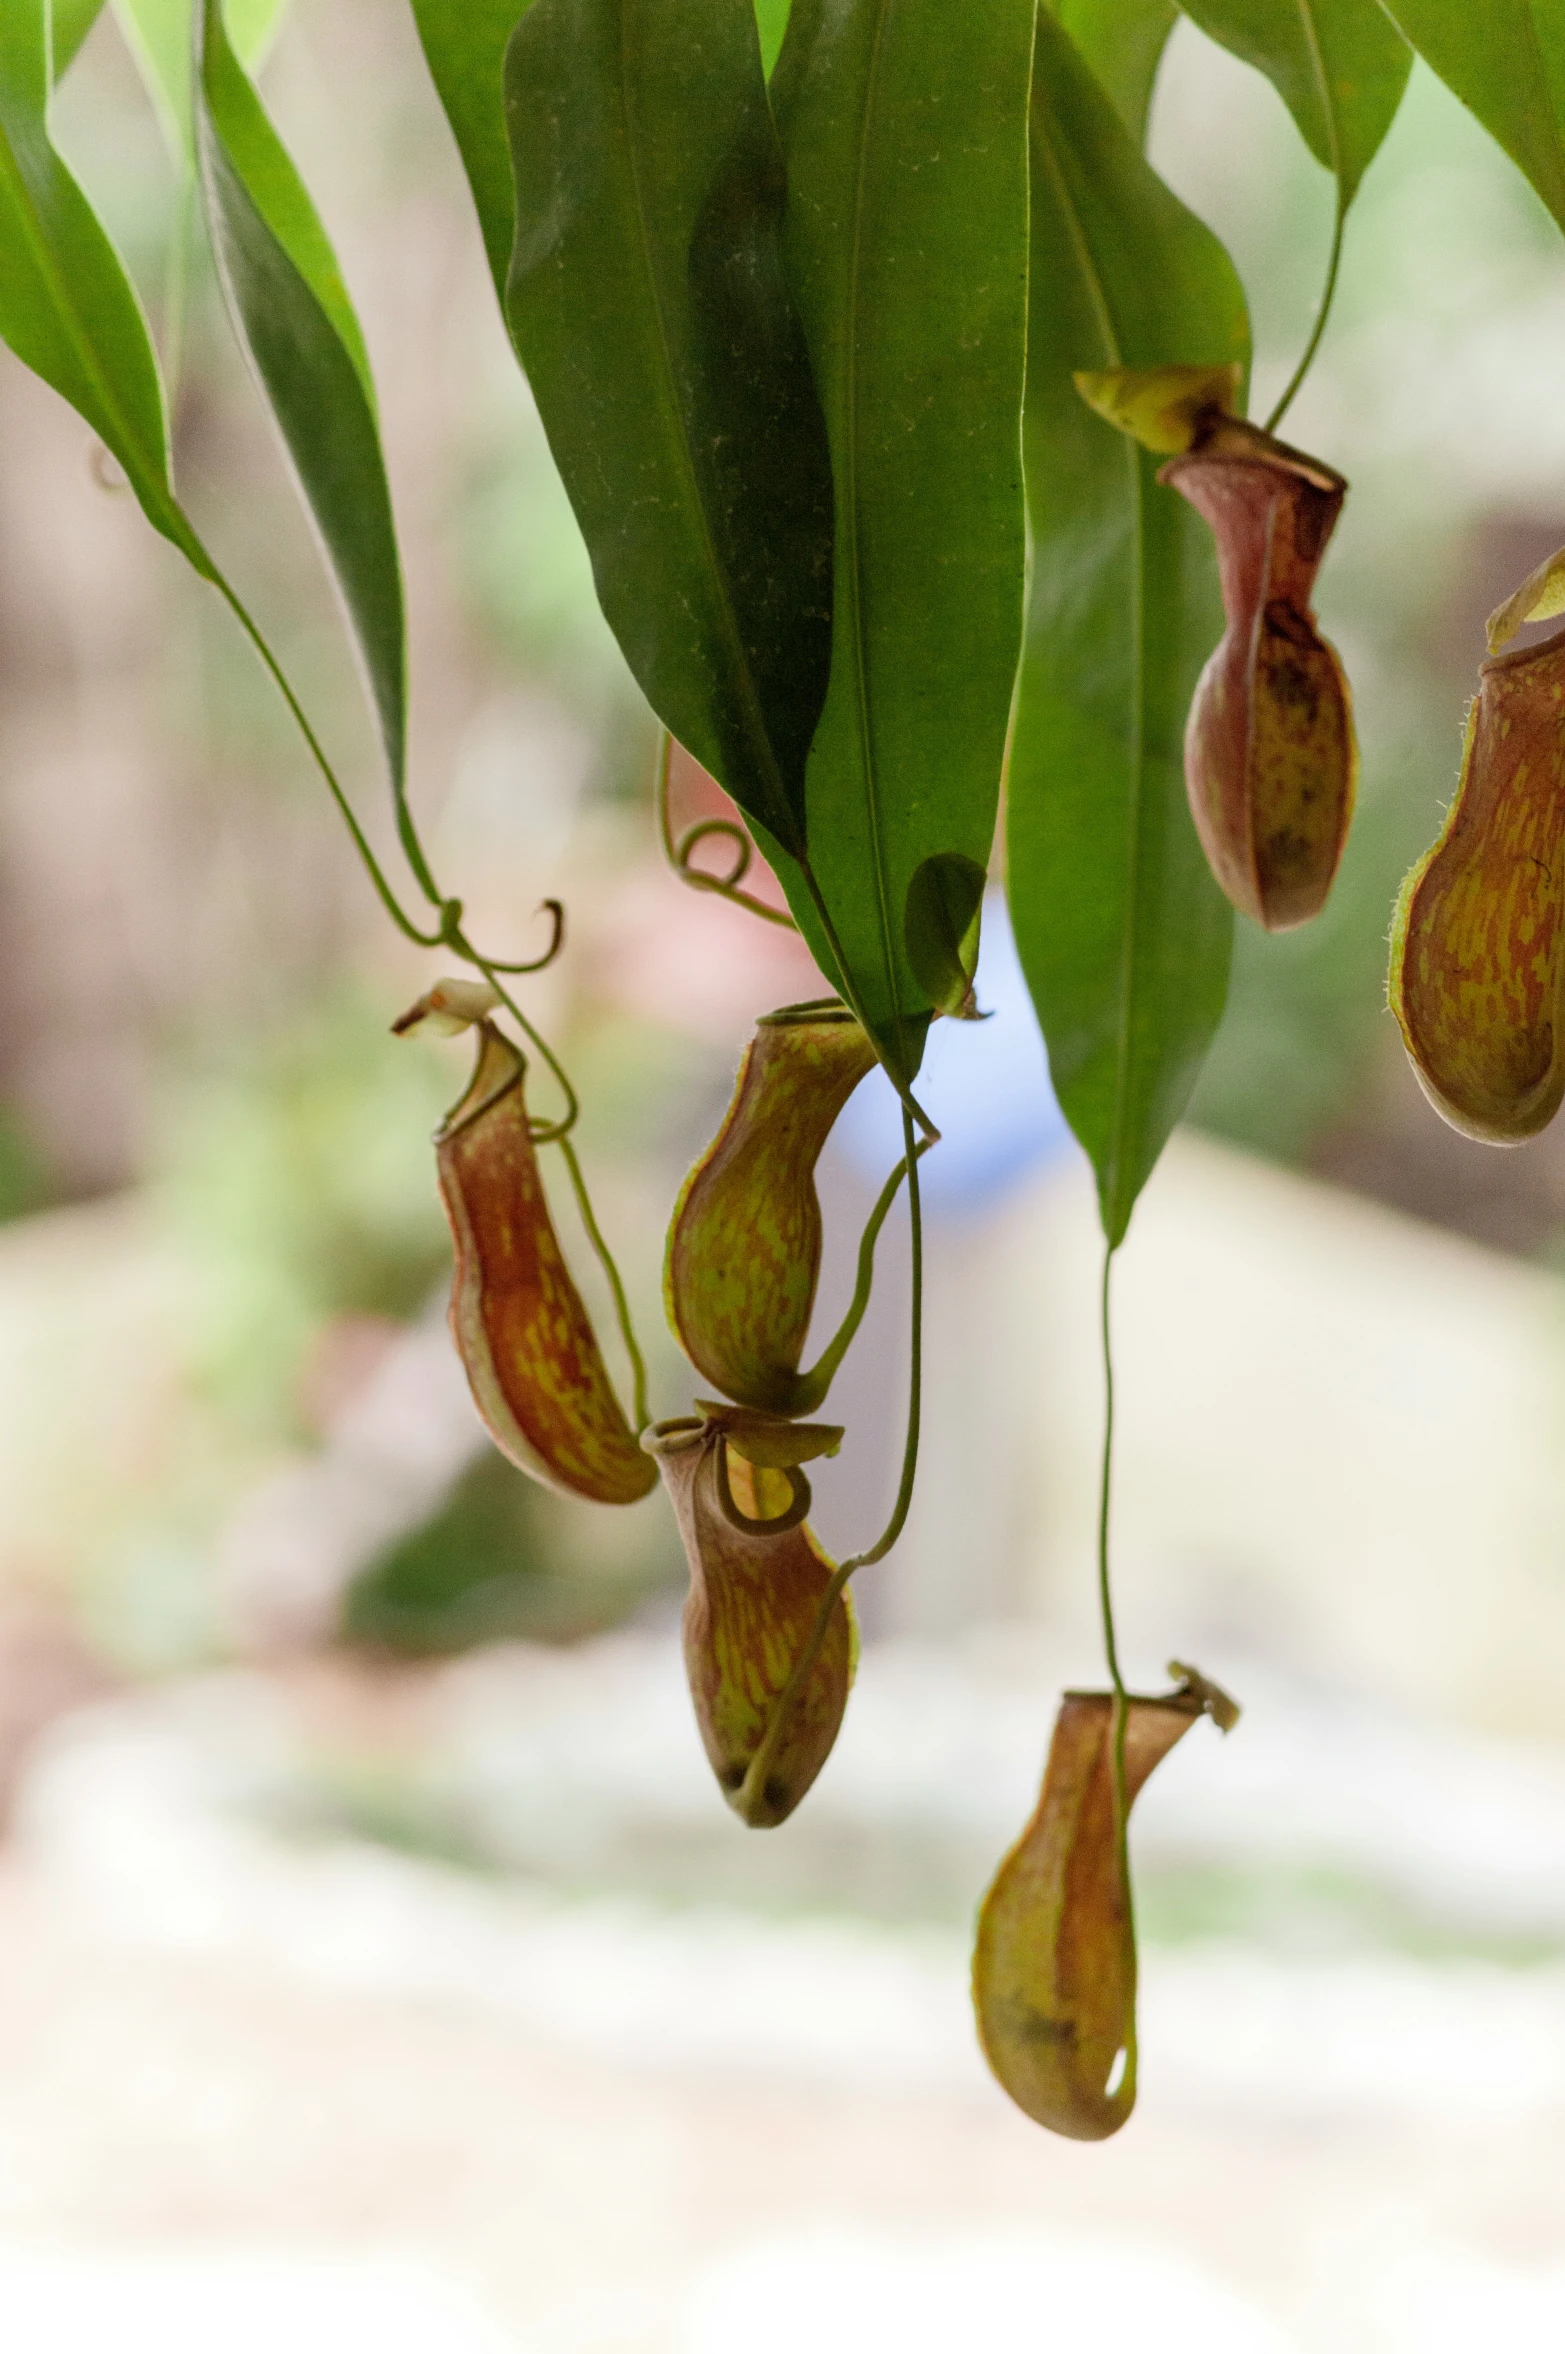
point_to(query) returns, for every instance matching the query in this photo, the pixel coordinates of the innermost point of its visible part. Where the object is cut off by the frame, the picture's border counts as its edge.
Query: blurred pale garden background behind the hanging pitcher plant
(378, 1962)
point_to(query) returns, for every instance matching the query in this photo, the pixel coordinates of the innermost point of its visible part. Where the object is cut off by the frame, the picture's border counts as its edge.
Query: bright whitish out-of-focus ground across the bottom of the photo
(521, 2117)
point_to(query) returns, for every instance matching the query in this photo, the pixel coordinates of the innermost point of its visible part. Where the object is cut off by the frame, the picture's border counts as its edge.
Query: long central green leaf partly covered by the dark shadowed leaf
(907, 251)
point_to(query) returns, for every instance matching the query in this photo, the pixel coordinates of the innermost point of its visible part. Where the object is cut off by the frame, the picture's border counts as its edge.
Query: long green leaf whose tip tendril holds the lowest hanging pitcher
(1121, 929)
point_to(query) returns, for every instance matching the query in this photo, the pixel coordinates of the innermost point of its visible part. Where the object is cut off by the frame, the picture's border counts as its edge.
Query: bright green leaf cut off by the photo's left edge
(67, 307)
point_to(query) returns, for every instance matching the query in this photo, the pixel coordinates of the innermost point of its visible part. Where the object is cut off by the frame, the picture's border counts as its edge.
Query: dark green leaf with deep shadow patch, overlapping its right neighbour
(653, 317)
